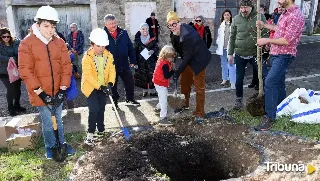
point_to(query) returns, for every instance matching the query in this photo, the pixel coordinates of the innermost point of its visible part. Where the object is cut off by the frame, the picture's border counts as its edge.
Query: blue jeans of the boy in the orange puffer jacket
(47, 127)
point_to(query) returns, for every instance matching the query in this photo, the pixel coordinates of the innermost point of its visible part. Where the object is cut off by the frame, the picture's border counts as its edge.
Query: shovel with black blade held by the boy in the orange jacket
(59, 151)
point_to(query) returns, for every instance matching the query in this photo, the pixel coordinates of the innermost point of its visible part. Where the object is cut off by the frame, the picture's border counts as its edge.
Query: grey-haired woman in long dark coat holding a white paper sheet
(143, 75)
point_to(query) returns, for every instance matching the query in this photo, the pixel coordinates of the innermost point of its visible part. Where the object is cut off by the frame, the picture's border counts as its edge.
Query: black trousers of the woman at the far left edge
(13, 91)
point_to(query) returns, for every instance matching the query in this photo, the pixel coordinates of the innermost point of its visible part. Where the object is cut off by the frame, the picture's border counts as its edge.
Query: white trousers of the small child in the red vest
(163, 100)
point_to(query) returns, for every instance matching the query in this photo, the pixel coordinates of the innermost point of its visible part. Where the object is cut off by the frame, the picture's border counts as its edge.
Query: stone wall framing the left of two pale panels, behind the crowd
(117, 7)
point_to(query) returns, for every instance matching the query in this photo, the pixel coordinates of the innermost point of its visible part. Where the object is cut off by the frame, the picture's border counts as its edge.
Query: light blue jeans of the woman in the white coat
(228, 70)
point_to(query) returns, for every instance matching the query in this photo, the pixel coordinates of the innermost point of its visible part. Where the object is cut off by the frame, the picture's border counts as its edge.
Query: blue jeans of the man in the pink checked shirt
(275, 88)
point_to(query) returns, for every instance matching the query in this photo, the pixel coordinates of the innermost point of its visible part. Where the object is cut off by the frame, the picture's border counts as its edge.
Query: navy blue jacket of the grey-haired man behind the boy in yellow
(121, 48)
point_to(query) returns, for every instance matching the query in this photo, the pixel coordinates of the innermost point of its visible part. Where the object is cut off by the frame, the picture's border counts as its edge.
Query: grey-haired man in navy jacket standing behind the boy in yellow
(121, 48)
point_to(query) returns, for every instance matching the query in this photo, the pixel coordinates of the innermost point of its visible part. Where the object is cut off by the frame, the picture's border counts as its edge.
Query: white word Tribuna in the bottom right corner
(279, 167)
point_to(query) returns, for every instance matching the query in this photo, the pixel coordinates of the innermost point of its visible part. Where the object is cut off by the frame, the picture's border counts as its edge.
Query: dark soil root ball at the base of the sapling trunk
(255, 105)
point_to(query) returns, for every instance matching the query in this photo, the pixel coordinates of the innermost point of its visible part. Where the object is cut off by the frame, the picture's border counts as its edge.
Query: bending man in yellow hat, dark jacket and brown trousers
(196, 58)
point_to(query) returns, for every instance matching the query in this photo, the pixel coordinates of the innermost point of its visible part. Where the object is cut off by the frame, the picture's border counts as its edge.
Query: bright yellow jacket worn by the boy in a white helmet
(89, 80)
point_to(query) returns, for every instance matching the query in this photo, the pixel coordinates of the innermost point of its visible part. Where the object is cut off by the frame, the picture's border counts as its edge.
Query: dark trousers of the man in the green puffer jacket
(240, 71)
